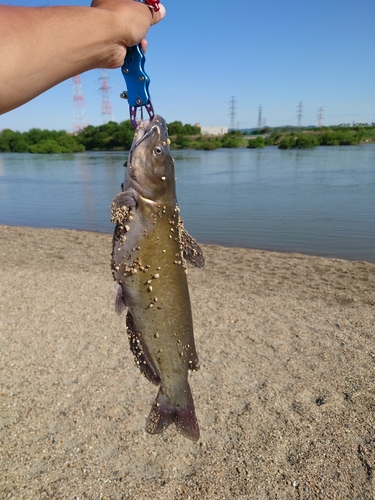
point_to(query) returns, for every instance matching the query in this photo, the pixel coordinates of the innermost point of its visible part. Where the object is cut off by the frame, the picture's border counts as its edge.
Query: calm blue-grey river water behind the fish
(319, 201)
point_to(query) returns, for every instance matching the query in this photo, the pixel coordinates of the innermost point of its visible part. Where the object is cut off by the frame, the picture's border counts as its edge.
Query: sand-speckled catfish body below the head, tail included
(149, 267)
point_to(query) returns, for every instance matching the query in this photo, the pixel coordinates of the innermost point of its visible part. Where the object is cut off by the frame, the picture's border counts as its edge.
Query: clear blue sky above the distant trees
(208, 58)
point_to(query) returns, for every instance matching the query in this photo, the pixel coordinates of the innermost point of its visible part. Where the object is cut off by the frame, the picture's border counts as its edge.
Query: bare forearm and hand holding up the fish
(41, 47)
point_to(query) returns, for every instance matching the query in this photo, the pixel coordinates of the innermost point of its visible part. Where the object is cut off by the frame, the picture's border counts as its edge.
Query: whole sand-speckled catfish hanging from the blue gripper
(150, 251)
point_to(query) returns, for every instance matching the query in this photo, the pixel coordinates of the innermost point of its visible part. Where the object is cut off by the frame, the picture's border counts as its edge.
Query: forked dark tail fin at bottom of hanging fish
(163, 413)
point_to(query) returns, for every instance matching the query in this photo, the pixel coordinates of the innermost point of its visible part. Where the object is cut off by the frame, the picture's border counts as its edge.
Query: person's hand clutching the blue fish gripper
(131, 22)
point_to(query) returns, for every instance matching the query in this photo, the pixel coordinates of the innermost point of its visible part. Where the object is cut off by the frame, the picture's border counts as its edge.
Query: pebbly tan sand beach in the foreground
(285, 396)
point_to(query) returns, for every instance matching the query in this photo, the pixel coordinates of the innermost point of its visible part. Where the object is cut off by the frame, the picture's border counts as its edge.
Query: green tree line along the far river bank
(119, 136)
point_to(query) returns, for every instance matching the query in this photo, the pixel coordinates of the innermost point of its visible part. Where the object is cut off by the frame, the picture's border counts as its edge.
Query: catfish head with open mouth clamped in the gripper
(150, 166)
